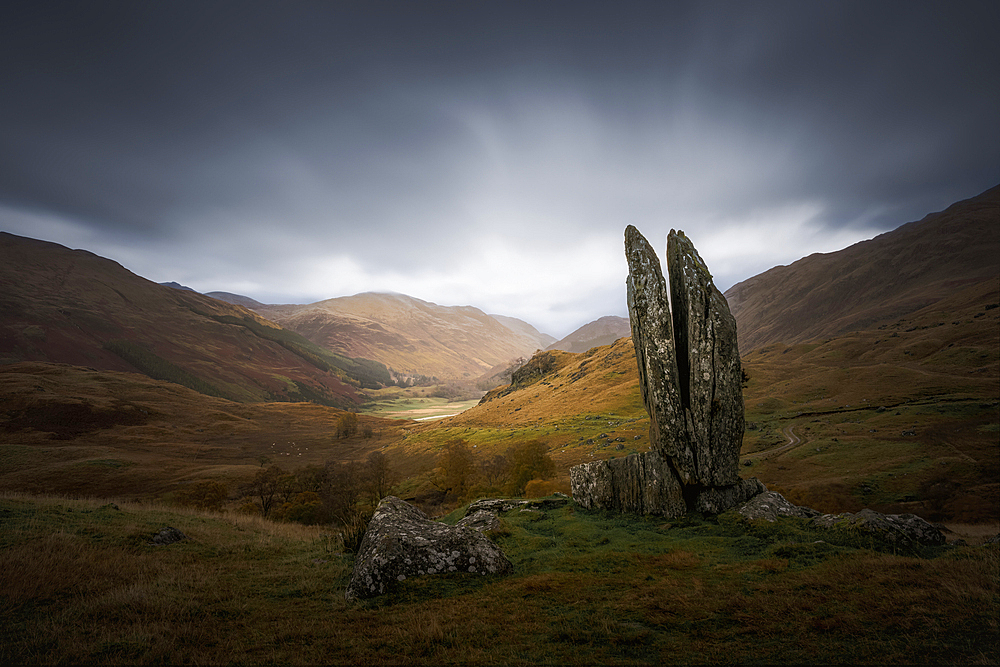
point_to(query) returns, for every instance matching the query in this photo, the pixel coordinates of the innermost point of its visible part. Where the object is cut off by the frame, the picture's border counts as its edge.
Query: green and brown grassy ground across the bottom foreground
(80, 583)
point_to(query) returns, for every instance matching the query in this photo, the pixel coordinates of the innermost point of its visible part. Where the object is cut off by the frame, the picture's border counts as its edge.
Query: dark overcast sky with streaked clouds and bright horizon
(485, 153)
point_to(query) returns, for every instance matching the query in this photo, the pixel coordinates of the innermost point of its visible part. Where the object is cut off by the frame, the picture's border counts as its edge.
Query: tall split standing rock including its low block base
(691, 378)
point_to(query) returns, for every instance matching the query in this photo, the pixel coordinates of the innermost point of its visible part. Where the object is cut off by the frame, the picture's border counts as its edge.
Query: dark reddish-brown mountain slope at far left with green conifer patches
(74, 307)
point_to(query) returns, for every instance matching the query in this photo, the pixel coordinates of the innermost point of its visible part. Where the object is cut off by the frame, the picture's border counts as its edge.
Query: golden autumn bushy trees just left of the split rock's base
(460, 475)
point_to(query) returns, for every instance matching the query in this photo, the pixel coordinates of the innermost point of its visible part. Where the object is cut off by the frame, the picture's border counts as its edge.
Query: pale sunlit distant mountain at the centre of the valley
(413, 337)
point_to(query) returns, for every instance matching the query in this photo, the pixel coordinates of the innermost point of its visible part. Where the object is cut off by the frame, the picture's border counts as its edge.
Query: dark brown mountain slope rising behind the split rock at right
(874, 282)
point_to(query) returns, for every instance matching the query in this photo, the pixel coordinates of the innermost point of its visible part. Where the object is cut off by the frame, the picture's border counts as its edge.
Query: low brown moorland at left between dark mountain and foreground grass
(76, 431)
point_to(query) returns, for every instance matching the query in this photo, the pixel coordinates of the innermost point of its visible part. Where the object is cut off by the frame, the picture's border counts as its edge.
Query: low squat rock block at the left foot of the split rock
(638, 483)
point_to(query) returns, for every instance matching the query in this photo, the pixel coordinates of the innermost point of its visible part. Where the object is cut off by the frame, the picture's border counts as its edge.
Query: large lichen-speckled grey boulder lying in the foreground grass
(401, 542)
